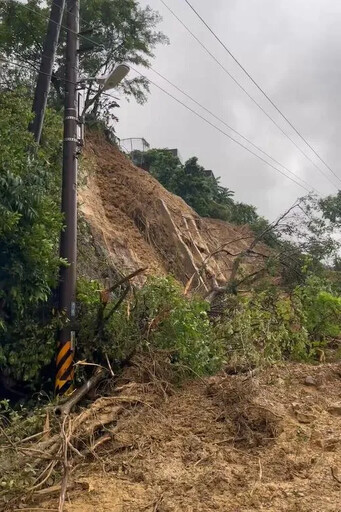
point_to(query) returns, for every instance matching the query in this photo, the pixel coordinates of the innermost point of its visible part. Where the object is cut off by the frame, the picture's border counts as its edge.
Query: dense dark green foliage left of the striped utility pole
(29, 236)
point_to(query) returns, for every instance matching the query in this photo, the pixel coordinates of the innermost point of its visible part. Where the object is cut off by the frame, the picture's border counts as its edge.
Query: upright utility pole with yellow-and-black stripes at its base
(68, 242)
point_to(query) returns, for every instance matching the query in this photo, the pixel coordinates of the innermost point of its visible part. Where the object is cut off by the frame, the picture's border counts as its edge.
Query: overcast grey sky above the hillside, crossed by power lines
(292, 48)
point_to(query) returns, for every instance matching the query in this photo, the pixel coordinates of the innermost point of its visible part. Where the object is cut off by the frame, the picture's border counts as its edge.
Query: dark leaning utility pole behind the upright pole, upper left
(46, 67)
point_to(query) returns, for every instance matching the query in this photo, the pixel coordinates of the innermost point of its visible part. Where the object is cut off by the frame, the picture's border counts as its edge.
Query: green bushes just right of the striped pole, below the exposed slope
(161, 318)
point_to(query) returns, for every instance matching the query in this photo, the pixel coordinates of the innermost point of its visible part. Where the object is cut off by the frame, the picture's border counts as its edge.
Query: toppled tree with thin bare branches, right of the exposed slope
(304, 233)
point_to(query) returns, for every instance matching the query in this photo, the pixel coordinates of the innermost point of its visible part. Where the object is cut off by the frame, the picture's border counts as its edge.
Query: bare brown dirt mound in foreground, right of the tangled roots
(239, 443)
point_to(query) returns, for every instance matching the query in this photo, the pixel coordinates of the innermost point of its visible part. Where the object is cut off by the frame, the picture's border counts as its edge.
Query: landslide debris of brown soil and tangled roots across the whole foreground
(259, 441)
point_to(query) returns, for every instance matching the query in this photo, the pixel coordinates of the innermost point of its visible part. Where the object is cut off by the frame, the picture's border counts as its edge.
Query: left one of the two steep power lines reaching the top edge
(246, 92)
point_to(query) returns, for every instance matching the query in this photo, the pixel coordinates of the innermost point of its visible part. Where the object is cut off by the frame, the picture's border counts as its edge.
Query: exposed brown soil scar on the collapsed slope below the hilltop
(141, 224)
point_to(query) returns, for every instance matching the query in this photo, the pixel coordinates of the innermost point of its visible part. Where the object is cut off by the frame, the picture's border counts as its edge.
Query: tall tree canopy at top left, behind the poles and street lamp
(119, 30)
